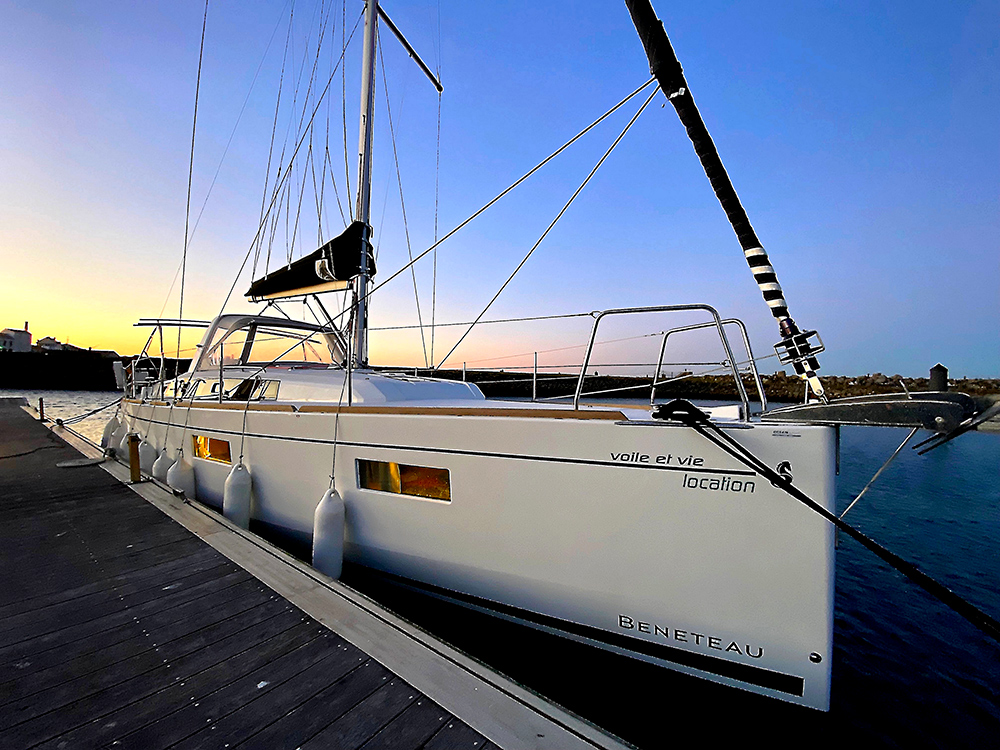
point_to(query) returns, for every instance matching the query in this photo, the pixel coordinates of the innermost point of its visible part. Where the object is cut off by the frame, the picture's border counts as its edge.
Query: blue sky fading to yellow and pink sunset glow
(863, 139)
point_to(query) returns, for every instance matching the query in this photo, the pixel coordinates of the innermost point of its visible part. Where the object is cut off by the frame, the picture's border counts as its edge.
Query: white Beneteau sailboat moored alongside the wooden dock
(666, 533)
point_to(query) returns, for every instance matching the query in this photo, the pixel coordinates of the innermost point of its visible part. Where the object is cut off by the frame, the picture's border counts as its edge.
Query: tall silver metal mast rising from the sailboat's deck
(365, 176)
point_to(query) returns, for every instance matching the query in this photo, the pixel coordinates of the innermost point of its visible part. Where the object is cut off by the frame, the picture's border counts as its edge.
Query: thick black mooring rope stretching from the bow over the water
(688, 414)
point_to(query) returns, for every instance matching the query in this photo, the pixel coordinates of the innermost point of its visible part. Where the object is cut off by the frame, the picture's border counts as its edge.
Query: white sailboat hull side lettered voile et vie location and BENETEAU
(589, 527)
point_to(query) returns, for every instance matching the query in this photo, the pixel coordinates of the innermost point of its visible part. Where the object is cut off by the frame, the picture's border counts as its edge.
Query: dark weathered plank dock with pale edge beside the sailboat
(129, 618)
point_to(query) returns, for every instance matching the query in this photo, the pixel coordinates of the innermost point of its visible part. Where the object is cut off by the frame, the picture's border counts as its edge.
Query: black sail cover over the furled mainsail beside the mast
(328, 269)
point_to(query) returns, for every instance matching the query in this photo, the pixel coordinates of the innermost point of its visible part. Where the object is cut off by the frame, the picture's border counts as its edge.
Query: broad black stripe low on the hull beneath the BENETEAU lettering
(766, 678)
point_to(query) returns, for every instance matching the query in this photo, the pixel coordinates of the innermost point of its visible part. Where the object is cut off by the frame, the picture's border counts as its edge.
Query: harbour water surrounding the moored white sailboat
(907, 670)
